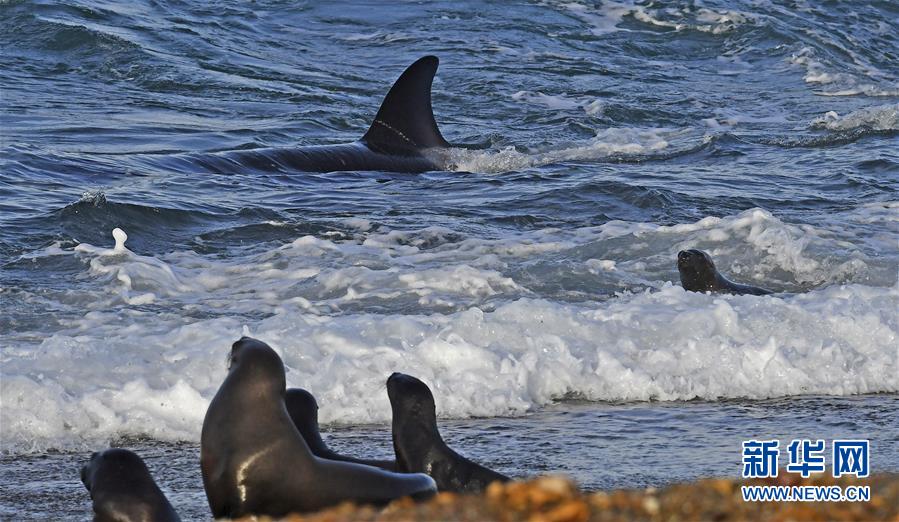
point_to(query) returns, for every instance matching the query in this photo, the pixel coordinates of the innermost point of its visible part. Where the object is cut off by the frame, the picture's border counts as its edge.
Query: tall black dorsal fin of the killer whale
(405, 122)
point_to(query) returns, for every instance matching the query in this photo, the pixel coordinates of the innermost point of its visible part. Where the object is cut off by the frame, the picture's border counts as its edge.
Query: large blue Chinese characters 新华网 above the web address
(848, 457)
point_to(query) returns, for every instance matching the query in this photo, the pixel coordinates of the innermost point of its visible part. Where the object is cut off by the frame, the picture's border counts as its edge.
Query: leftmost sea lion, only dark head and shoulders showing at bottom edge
(123, 490)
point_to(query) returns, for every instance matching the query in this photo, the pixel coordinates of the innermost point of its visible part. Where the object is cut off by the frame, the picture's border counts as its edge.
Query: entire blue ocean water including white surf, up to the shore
(532, 283)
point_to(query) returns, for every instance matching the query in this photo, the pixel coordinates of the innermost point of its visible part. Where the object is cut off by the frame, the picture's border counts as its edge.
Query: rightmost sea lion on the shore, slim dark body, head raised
(419, 446)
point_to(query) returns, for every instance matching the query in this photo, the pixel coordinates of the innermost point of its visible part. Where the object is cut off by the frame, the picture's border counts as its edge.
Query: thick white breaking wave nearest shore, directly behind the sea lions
(121, 377)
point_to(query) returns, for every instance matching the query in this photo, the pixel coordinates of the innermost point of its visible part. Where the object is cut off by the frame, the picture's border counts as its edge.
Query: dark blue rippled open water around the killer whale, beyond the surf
(106, 97)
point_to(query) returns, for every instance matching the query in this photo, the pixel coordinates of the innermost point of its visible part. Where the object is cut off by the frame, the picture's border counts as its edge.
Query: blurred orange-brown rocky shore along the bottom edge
(556, 499)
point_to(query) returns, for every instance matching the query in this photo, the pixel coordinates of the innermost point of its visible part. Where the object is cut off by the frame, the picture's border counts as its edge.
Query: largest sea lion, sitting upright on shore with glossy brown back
(254, 461)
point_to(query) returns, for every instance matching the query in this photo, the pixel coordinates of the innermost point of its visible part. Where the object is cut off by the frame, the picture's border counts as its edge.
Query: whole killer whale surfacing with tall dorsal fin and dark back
(403, 137)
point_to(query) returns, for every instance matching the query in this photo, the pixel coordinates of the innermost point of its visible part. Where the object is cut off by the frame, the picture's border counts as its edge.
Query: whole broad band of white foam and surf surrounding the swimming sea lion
(463, 314)
